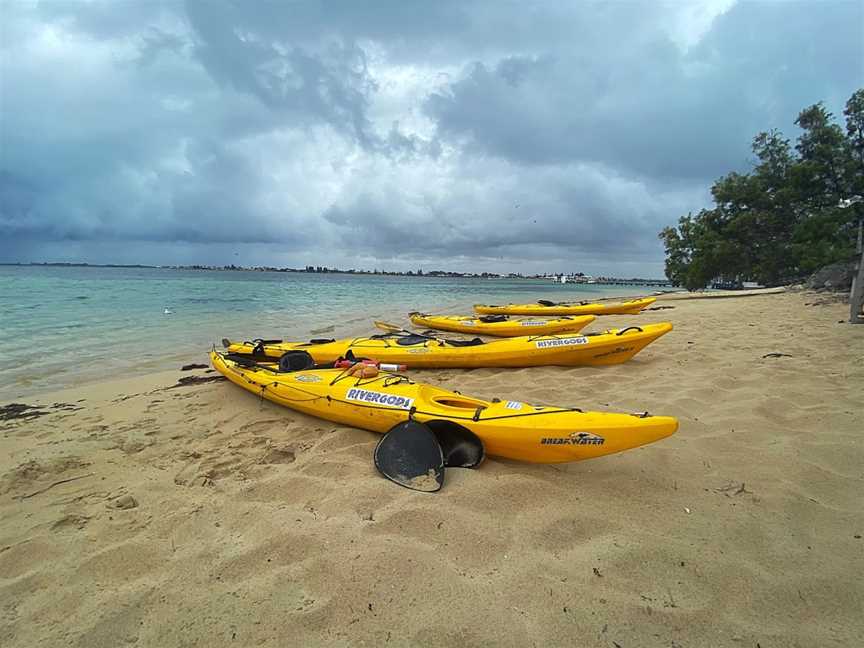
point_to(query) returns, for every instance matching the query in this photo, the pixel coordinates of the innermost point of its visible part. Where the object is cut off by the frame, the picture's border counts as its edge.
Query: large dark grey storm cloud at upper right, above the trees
(652, 109)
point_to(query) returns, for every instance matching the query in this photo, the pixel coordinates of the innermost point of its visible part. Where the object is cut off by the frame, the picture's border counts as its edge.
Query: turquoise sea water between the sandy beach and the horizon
(64, 326)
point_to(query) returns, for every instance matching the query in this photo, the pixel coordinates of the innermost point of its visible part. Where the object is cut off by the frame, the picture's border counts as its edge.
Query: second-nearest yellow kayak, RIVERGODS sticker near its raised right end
(422, 351)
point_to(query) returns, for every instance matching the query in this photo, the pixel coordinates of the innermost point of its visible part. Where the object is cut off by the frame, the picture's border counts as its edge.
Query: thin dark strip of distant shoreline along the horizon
(572, 279)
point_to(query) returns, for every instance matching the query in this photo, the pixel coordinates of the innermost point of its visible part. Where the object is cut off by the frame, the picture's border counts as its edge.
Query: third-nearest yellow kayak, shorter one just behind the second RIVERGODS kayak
(500, 325)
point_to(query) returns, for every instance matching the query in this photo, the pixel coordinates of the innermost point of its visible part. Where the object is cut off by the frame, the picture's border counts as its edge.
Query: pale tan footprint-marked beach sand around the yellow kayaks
(201, 516)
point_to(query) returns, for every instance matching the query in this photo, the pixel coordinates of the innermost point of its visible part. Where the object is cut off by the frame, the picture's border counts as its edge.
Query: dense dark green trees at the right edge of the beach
(784, 219)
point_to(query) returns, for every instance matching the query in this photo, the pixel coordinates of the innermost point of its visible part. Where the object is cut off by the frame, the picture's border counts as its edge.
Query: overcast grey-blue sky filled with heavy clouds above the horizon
(499, 136)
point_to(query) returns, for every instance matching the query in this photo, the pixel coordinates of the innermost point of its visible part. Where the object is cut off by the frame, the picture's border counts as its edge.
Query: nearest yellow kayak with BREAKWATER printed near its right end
(507, 428)
